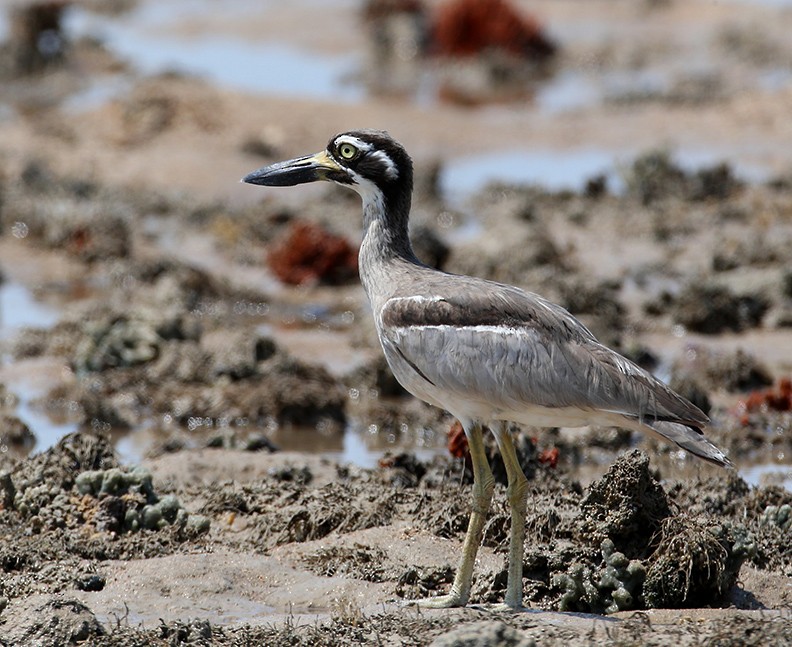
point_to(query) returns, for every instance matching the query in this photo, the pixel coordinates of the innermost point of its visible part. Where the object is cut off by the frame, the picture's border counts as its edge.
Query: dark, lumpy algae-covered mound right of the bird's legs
(652, 557)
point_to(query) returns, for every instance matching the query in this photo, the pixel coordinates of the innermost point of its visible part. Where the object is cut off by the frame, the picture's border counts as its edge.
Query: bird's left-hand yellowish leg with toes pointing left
(483, 486)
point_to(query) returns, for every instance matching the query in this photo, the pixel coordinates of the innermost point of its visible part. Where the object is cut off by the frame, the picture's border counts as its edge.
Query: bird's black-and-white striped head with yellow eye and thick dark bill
(369, 161)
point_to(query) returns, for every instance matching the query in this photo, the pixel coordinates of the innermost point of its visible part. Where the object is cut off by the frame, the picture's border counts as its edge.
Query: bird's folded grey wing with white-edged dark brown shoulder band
(498, 344)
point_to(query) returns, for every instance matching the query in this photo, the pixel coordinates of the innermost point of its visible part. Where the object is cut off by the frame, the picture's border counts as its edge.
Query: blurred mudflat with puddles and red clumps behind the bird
(630, 159)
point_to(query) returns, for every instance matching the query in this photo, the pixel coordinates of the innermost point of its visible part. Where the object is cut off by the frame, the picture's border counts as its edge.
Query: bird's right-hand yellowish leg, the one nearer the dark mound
(517, 493)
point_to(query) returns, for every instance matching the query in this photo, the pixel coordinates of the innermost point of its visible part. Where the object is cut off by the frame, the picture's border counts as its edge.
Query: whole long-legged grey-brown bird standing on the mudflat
(486, 352)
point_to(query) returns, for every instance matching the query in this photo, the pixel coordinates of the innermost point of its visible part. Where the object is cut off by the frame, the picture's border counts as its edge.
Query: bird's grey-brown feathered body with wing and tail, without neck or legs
(499, 352)
